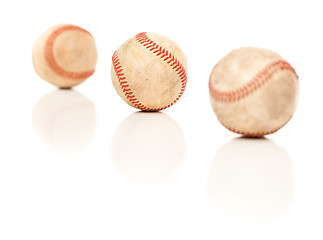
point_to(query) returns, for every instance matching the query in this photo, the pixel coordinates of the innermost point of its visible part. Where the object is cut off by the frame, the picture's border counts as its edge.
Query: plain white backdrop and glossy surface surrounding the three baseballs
(83, 164)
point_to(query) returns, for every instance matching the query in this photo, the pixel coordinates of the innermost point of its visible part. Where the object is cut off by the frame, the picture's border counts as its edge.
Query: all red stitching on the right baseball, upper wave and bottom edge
(258, 81)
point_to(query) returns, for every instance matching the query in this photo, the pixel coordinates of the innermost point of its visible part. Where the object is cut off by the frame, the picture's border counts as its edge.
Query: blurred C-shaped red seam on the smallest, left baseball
(48, 51)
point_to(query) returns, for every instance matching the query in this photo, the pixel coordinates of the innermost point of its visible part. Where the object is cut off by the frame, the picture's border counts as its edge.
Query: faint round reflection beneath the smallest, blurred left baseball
(65, 120)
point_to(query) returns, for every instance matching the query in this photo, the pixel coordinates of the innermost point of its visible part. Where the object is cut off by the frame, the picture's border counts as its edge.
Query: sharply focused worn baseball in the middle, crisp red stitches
(149, 72)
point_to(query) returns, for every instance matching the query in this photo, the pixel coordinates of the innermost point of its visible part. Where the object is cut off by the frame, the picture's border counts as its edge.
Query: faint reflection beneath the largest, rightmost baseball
(251, 180)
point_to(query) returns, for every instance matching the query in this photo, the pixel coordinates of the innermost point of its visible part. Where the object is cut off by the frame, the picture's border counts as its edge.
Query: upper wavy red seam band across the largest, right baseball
(259, 80)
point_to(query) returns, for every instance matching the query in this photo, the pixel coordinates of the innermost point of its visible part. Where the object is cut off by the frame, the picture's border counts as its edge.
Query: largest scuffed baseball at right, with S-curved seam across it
(253, 91)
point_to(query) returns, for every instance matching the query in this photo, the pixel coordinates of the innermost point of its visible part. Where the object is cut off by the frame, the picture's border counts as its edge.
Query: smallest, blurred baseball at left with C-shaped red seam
(65, 55)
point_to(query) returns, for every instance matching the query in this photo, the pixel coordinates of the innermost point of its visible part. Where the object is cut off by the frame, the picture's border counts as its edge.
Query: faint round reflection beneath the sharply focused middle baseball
(148, 148)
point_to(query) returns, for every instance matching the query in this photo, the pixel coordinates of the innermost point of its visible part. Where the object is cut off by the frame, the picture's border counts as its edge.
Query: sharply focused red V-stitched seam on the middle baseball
(165, 55)
